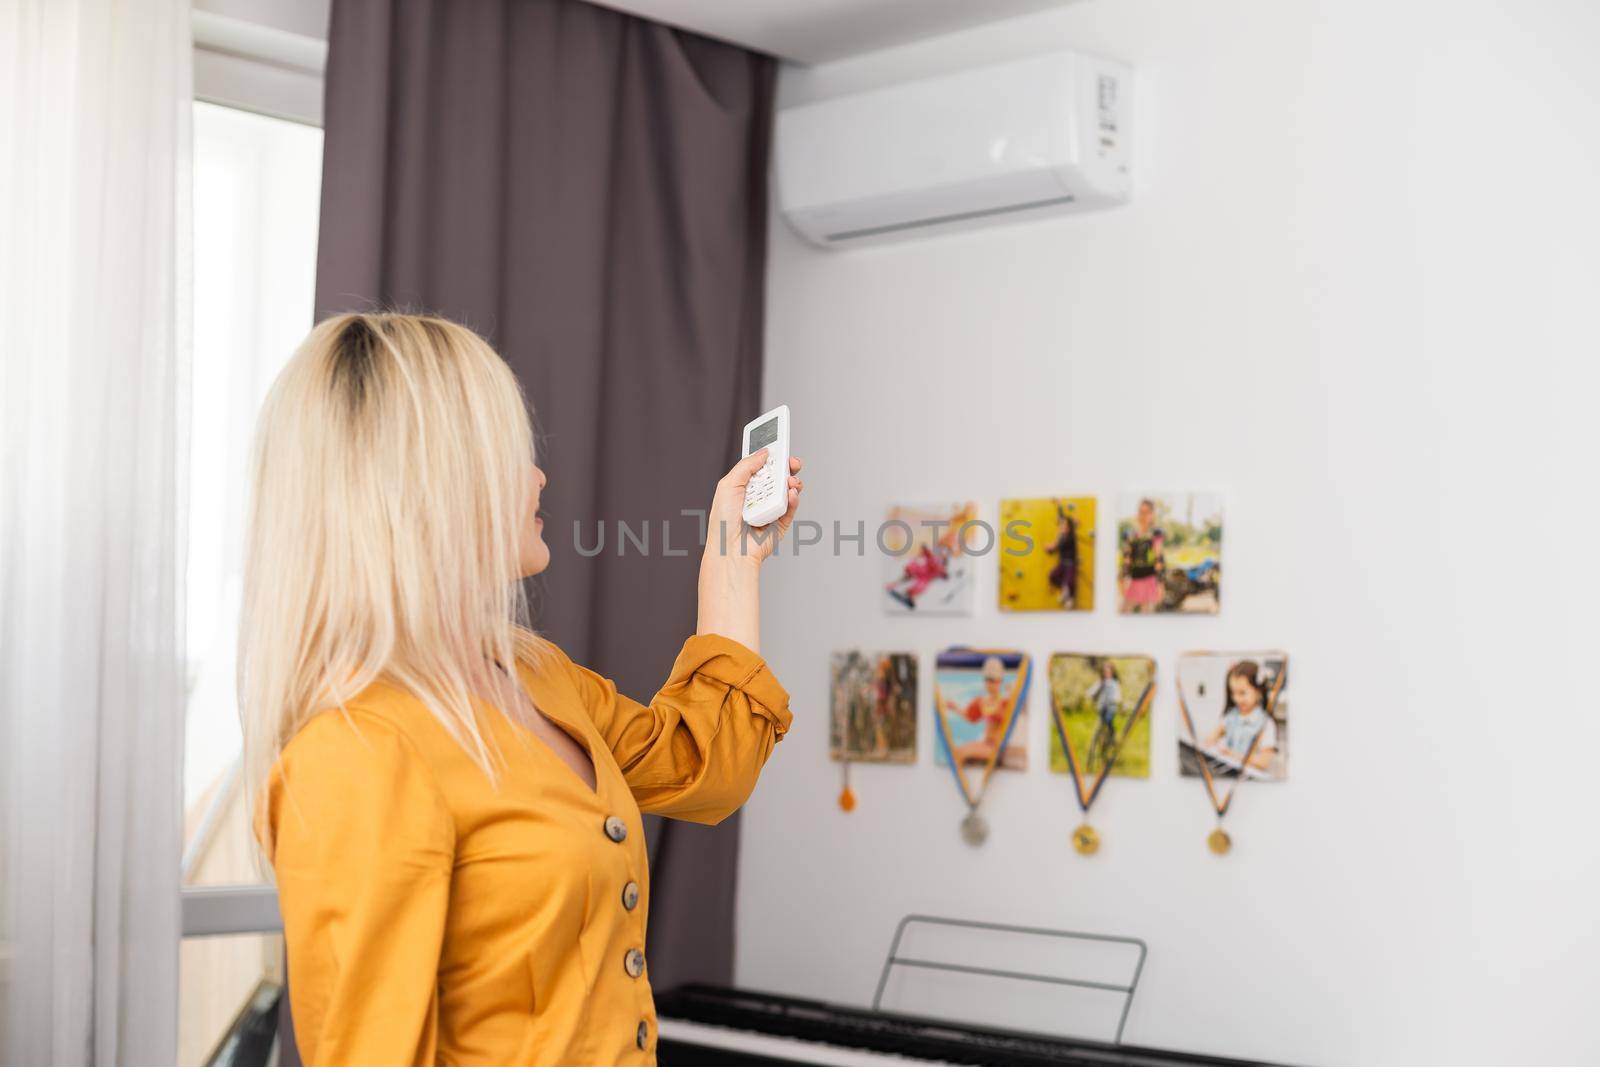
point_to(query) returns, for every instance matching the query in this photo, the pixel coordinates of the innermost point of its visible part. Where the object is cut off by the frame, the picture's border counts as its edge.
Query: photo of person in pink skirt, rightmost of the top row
(1170, 554)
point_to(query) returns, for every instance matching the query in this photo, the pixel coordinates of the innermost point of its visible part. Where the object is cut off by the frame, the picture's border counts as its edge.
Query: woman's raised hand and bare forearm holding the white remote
(730, 570)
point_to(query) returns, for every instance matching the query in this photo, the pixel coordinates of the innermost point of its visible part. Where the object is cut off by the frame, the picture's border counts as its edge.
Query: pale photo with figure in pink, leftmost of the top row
(926, 567)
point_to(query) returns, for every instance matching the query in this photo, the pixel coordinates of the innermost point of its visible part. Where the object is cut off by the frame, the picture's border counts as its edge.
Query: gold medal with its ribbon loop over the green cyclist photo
(1073, 701)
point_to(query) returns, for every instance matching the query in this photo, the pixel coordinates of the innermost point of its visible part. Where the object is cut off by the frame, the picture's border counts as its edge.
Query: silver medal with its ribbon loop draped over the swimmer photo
(986, 721)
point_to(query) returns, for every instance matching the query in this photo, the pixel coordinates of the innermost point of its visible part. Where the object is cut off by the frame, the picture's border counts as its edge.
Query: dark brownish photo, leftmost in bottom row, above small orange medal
(874, 703)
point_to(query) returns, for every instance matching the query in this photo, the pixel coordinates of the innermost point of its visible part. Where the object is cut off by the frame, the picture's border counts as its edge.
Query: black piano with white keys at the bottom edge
(706, 1026)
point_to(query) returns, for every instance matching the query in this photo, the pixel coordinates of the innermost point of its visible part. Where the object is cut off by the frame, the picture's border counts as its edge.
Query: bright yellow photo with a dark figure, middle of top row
(1047, 554)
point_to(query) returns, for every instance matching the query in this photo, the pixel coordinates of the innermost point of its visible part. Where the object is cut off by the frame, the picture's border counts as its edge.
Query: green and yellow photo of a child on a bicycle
(1102, 706)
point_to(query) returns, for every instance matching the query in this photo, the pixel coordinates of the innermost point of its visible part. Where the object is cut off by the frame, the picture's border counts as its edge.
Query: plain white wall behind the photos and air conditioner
(1356, 294)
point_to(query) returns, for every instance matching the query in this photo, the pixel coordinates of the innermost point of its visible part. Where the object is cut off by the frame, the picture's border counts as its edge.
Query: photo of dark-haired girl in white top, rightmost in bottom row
(1234, 714)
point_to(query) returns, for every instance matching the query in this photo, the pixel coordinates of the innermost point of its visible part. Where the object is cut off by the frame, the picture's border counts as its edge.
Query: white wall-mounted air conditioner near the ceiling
(1030, 137)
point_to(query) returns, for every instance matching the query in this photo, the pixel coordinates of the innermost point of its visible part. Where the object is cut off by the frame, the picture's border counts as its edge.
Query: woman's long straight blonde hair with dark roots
(393, 478)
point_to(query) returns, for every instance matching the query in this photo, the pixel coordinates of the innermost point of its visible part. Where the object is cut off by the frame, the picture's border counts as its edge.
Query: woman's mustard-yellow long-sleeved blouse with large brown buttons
(436, 919)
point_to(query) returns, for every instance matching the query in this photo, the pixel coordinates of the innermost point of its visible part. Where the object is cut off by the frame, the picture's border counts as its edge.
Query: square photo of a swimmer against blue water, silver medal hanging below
(982, 701)
